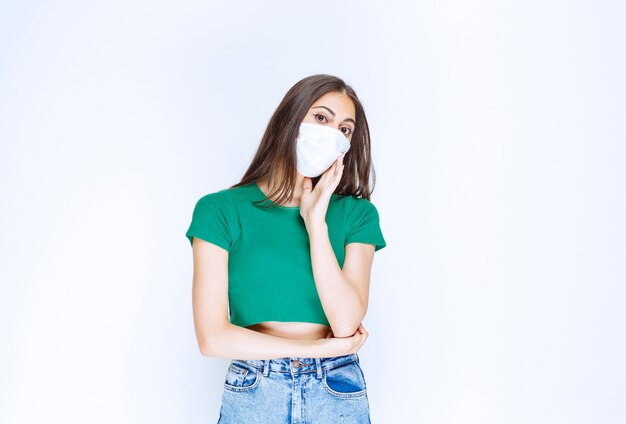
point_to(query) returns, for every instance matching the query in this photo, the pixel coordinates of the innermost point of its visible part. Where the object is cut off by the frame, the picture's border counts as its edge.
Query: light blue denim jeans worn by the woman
(296, 391)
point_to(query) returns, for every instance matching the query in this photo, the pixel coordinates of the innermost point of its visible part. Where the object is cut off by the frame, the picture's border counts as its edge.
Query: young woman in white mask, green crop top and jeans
(282, 264)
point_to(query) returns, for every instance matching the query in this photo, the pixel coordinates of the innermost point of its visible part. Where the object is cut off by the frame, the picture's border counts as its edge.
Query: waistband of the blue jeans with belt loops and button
(294, 364)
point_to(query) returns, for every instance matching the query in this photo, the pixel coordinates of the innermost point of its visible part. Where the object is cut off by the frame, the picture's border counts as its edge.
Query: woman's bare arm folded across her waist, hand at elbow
(218, 337)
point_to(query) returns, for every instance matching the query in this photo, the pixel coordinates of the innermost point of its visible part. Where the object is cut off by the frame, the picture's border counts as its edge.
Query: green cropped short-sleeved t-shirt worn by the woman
(270, 276)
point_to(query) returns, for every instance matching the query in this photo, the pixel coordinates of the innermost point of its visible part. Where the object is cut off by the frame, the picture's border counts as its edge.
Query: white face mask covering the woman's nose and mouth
(317, 147)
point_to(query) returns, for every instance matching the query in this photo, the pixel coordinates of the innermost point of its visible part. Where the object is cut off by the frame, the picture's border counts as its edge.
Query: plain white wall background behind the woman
(498, 140)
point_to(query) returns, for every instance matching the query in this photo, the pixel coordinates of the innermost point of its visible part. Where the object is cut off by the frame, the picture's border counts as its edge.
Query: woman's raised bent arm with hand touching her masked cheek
(343, 293)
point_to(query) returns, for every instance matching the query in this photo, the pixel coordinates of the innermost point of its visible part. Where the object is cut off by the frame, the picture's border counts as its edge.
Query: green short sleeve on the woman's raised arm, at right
(364, 224)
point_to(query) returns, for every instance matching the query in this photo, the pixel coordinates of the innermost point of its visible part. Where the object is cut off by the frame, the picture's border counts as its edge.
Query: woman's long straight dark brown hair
(277, 150)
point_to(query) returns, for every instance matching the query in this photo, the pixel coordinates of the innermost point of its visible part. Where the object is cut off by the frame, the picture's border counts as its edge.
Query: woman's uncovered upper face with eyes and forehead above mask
(335, 110)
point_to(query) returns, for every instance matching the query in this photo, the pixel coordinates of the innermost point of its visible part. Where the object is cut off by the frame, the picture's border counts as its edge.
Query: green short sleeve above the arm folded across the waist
(210, 220)
